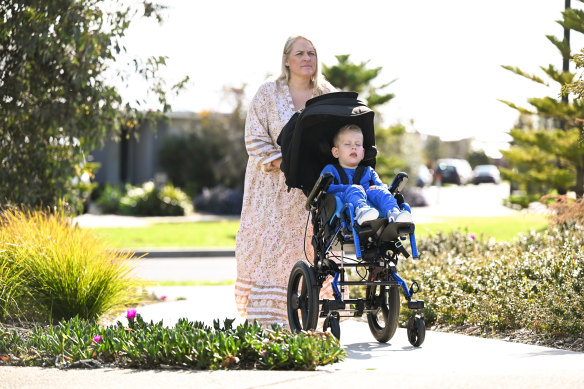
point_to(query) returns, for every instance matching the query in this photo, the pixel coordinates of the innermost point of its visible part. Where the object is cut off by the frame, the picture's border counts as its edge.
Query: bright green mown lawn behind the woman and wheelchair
(222, 234)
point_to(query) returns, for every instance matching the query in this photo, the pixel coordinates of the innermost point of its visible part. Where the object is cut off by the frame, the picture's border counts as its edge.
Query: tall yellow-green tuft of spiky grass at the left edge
(52, 270)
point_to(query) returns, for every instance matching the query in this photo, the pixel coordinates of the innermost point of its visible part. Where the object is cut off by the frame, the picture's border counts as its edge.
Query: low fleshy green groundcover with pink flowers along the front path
(190, 345)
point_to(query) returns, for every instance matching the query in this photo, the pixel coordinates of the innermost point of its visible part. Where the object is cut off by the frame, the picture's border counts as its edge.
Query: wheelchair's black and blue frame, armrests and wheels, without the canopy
(377, 246)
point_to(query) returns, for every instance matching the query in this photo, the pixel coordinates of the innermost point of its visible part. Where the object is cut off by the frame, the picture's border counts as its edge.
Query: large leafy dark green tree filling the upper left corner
(56, 101)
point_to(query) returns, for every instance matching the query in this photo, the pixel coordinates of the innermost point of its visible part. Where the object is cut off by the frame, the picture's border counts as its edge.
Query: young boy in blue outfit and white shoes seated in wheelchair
(348, 149)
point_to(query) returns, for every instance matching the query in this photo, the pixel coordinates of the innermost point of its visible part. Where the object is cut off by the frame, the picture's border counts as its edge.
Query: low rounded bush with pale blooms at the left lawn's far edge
(148, 200)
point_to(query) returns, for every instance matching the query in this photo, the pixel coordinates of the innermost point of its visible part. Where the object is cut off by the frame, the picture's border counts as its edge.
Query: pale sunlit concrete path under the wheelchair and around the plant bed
(444, 360)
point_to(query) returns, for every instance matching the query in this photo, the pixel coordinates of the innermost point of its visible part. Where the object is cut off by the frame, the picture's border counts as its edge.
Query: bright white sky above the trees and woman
(445, 56)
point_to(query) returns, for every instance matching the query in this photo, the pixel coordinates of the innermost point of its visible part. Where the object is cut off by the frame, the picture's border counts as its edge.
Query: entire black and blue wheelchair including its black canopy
(370, 251)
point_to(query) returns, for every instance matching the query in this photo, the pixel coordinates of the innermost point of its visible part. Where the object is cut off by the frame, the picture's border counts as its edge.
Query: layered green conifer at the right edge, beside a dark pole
(549, 155)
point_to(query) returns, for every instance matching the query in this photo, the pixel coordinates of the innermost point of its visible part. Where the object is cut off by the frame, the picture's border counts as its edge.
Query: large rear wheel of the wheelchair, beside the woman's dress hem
(302, 298)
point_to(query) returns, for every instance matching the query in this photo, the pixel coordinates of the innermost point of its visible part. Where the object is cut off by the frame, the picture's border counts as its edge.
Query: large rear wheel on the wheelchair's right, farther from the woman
(383, 322)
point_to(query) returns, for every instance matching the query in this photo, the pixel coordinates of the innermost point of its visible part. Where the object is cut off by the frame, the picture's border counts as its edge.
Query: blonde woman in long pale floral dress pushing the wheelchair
(273, 220)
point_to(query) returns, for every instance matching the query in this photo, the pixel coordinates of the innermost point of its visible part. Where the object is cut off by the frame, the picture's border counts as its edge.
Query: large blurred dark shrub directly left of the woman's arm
(211, 153)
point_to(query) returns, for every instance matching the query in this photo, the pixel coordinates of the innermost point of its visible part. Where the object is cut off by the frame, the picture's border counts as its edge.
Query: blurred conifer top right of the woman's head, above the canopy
(349, 76)
